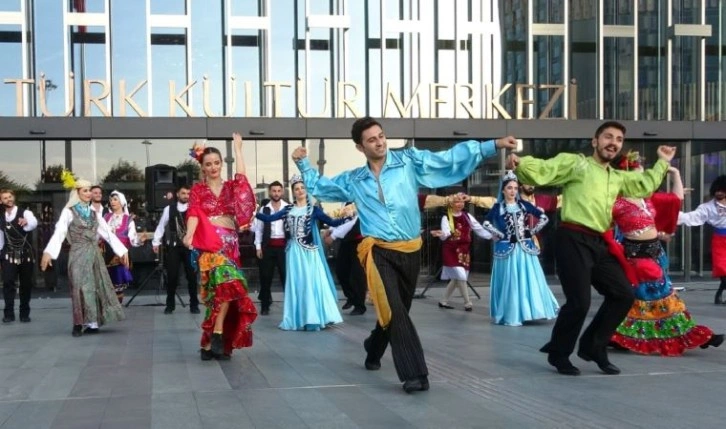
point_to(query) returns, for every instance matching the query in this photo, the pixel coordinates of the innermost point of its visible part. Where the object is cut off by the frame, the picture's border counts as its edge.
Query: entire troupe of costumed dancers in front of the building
(614, 224)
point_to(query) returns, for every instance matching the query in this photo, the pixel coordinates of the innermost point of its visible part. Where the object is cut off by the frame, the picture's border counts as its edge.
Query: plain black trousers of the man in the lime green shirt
(582, 260)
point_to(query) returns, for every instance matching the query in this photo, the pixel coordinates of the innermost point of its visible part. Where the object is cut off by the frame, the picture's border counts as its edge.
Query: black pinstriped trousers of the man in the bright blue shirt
(399, 272)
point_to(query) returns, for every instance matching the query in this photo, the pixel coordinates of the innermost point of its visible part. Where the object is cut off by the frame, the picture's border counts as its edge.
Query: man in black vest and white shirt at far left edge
(17, 256)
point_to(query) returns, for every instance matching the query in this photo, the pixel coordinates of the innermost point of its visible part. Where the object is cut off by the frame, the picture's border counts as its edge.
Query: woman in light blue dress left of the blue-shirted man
(310, 297)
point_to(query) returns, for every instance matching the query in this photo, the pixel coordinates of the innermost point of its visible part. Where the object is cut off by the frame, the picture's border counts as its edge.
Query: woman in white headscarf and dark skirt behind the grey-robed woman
(120, 223)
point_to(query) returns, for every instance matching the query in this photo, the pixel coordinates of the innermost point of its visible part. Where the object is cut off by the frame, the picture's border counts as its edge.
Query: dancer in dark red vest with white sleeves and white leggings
(455, 232)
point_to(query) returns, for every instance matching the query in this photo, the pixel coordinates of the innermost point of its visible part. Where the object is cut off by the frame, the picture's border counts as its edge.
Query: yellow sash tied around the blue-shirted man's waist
(375, 284)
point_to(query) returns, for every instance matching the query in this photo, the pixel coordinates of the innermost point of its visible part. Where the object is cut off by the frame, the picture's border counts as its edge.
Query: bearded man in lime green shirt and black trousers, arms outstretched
(589, 188)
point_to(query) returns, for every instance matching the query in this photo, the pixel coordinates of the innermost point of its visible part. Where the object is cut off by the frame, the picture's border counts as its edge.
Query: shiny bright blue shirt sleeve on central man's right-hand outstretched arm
(438, 169)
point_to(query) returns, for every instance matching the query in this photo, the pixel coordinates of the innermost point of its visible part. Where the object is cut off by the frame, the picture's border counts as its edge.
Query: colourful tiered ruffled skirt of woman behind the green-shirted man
(658, 321)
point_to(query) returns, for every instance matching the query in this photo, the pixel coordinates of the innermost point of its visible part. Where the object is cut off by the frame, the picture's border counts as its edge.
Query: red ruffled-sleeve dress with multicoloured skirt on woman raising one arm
(220, 277)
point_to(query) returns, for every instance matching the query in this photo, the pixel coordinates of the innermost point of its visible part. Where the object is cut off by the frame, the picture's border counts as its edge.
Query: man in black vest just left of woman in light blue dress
(270, 246)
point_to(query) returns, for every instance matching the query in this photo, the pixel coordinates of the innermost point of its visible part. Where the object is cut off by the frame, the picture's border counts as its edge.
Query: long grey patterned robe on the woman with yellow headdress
(92, 294)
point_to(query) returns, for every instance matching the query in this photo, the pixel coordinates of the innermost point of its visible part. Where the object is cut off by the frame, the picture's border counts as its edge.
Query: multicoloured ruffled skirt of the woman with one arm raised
(221, 280)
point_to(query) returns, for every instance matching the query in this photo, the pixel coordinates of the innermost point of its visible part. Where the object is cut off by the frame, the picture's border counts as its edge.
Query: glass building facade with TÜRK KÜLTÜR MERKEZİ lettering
(110, 87)
